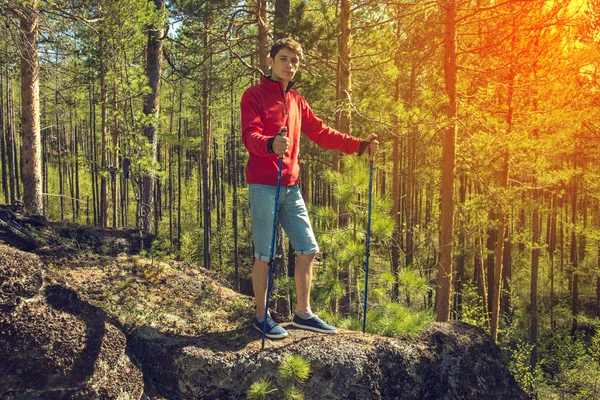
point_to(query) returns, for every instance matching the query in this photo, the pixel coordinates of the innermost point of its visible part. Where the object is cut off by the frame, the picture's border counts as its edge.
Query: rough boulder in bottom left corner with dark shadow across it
(54, 345)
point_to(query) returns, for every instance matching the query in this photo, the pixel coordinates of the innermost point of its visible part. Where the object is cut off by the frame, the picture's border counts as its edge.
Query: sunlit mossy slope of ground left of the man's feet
(177, 297)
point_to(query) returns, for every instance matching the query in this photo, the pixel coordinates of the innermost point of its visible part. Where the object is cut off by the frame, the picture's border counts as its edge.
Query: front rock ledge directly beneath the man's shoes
(448, 361)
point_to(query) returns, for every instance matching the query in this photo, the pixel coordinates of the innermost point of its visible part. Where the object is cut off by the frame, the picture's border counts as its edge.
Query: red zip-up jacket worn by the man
(265, 108)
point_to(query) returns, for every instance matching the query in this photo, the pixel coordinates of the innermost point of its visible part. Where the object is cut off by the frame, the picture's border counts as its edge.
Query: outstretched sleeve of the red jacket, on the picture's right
(325, 136)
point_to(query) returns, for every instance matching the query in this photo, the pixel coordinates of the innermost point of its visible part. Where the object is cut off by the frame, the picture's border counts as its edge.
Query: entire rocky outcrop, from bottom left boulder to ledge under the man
(191, 337)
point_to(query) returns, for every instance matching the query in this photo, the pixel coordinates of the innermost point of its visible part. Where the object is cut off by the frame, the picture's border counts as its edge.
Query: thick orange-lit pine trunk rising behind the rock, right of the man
(444, 276)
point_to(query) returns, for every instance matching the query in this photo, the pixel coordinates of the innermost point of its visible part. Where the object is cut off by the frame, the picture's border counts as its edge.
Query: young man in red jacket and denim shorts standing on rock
(266, 109)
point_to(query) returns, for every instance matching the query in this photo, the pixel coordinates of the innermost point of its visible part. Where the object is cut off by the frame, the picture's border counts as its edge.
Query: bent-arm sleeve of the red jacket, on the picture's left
(252, 125)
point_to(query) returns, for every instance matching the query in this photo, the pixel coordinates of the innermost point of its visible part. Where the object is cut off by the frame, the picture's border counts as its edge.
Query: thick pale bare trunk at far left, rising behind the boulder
(30, 106)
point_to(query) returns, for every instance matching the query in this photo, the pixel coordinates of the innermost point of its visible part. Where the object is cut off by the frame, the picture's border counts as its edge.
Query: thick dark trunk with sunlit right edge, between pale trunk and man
(154, 60)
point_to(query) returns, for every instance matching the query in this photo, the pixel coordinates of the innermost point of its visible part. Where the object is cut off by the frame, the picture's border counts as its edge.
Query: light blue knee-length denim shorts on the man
(292, 215)
